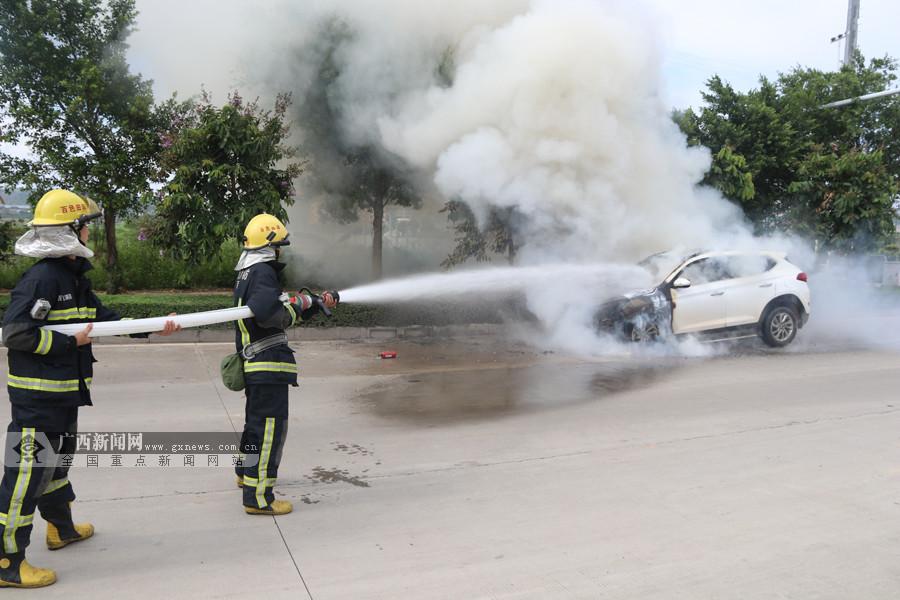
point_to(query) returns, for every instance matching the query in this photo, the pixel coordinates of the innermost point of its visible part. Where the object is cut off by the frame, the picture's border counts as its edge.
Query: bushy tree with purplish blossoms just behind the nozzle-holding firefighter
(230, 163)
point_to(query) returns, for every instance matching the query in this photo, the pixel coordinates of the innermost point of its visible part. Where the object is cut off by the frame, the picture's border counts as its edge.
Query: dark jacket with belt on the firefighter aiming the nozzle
(257, 286)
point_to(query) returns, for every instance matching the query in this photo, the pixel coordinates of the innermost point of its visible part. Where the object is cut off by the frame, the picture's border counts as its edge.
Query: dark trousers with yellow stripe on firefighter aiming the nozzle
(262, 441)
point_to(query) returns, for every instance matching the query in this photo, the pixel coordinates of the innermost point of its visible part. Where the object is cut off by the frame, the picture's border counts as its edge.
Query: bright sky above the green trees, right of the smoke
(740, 40)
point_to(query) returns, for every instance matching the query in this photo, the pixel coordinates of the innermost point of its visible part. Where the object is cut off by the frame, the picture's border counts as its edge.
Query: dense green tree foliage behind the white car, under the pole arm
(831, 173)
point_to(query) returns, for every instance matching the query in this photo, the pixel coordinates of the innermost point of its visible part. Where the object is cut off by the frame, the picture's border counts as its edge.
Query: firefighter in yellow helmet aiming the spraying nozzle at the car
(269, 366)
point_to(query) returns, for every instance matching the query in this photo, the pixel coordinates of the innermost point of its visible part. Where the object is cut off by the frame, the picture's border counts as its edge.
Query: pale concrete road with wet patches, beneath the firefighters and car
(486, 469)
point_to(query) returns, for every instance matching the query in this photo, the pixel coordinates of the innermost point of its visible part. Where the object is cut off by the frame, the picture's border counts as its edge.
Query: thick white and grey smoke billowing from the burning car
(551, 108)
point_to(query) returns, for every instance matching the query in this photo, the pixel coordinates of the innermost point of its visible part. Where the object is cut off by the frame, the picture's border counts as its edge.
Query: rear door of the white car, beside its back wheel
(751, 287)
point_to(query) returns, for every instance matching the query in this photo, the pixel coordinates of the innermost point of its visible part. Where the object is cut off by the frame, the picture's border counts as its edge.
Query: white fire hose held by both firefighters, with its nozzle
(153, 324)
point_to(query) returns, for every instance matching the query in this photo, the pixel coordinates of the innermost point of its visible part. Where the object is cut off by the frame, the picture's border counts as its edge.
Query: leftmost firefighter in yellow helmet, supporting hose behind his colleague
(49, 377)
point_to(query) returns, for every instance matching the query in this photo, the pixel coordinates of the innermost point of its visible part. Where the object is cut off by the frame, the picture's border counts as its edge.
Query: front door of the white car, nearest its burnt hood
(701, 306)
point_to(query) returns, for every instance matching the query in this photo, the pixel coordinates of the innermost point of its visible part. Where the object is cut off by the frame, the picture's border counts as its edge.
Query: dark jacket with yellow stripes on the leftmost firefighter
(48, 367)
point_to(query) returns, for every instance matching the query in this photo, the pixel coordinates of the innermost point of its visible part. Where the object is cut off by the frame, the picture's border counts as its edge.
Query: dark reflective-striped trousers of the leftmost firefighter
(37, 456)
